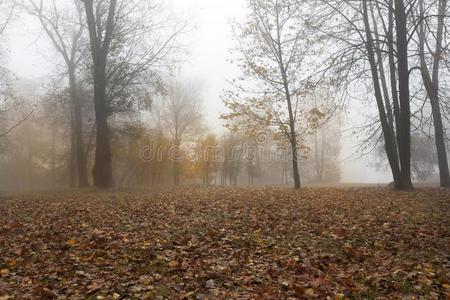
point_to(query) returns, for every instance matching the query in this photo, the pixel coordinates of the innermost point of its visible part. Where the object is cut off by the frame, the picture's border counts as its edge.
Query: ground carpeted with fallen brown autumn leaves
(199, 243)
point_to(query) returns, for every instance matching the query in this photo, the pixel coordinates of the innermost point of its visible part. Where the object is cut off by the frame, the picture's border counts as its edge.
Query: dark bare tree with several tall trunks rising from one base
(372, 48)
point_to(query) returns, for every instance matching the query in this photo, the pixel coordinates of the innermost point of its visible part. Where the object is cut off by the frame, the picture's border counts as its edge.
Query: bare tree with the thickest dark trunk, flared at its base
(129, 41)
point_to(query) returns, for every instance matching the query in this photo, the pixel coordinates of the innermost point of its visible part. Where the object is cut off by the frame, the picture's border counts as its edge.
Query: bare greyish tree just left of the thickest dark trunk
(66, 33)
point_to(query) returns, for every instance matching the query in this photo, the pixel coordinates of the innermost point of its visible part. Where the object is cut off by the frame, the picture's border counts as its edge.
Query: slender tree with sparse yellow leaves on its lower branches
(272, 49)
